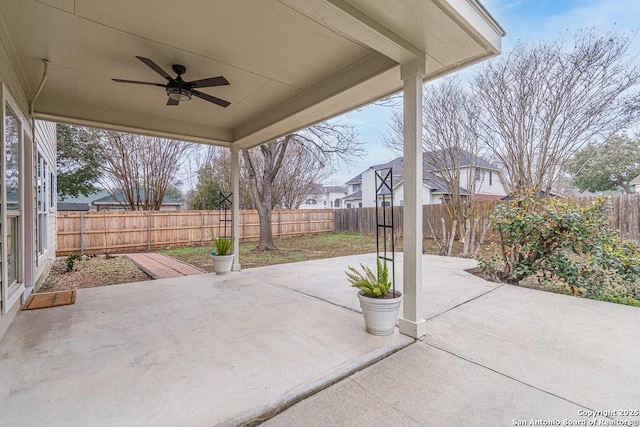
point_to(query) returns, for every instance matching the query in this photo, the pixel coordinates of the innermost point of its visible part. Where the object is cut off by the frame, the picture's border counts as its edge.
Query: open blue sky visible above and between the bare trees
(522, 20)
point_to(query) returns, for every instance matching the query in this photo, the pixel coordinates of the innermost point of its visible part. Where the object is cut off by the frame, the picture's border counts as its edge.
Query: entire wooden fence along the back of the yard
(104, 232)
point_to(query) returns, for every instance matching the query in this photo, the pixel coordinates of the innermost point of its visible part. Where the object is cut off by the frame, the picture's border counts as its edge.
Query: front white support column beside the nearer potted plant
(411, 321)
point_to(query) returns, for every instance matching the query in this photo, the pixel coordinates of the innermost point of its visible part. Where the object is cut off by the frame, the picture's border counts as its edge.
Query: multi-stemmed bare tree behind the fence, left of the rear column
(138, 169)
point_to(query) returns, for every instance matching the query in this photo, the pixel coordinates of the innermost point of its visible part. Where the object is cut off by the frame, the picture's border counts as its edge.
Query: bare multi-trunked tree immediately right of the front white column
(452, 149)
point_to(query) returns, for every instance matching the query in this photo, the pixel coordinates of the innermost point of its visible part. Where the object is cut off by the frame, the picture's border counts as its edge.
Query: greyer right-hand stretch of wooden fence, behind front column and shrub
(623, 209)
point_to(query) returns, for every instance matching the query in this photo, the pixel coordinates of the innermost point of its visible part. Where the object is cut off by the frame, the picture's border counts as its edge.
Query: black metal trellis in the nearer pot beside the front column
(384, 222)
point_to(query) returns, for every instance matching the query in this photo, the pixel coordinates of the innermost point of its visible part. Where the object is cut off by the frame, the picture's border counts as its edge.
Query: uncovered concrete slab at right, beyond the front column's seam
(512, 356)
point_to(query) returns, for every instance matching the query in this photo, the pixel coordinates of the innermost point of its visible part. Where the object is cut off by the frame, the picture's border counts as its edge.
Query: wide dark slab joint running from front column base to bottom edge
(281, 407)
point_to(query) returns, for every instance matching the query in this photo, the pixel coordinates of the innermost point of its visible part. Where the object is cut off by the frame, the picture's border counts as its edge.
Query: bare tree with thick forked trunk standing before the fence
(325, 144)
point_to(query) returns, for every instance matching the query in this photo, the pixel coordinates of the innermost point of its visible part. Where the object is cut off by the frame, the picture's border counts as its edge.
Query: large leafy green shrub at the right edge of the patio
(563, 246)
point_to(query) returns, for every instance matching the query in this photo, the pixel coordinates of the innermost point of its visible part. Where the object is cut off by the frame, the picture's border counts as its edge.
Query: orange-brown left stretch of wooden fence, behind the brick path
(128, 231)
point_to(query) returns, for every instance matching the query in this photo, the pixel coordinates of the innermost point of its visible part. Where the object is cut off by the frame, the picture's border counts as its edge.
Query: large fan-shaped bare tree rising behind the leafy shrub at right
(544, 101)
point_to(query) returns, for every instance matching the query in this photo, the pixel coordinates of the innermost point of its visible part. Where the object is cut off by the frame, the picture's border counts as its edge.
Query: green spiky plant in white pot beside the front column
(380, 305)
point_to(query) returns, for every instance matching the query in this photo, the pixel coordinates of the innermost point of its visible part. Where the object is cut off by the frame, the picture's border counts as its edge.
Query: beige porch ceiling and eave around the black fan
(290, 63)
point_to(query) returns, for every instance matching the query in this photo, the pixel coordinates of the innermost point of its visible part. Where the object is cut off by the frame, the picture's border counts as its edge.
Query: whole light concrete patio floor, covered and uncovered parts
(225, 350)
